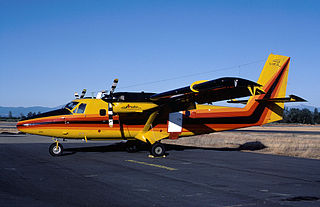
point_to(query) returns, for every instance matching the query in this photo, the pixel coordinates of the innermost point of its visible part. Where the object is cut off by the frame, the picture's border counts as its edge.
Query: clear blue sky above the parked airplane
(50, 49)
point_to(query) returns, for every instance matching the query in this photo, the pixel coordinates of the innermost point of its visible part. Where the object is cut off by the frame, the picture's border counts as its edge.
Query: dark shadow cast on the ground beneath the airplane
(121, 147)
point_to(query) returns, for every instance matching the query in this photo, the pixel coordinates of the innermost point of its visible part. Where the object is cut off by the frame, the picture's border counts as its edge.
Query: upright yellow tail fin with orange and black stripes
(273, 78)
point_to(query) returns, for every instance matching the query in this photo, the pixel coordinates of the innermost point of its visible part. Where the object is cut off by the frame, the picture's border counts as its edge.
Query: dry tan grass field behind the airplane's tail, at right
(289, 144)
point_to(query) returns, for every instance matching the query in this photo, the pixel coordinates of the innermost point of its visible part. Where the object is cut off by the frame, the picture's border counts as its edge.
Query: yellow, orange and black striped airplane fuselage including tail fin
(131, 118)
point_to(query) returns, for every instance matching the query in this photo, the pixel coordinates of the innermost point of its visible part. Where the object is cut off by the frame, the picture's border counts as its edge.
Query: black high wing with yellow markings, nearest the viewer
(207, 92)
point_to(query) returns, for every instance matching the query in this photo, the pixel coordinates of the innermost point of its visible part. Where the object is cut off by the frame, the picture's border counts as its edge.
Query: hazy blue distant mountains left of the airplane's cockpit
(16, 111)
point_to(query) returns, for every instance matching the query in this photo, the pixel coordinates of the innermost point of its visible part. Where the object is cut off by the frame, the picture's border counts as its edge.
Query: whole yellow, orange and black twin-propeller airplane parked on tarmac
(151, 117)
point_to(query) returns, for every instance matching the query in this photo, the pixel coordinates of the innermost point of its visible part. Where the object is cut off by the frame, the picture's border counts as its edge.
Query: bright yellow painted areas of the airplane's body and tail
(152, 135)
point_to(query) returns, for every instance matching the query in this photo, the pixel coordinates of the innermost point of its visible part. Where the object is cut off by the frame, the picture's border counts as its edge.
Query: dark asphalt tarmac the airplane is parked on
(104, 174)
